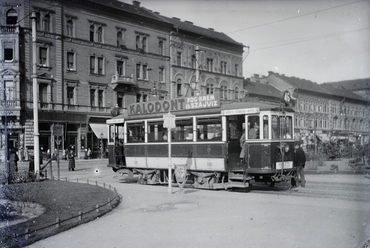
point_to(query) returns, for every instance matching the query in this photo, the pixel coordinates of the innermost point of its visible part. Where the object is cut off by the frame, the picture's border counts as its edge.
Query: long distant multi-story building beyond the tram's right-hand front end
(322, 109)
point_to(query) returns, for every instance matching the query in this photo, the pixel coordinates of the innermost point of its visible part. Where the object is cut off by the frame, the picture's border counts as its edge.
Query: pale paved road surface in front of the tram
(332, 211)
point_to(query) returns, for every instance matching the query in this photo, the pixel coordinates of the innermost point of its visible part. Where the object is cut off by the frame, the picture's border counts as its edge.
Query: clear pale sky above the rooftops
(317, 40)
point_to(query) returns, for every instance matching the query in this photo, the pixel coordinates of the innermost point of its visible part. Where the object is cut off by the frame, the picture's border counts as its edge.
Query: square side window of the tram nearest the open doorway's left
(209, 129)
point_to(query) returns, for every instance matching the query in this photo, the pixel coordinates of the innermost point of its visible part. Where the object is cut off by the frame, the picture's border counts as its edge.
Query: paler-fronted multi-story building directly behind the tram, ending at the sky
(203, 61)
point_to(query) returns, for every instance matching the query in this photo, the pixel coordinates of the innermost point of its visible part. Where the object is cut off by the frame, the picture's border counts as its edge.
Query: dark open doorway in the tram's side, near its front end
(235, 129)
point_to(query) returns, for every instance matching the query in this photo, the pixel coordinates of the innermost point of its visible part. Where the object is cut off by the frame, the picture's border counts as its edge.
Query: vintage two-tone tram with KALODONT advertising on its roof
(222, 145)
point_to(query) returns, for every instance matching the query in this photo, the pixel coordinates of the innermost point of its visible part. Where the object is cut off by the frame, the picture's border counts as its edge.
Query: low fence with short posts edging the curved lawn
(98, 209)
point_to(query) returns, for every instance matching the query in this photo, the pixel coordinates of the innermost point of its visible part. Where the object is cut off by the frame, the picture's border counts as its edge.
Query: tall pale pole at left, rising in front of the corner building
(36, 142)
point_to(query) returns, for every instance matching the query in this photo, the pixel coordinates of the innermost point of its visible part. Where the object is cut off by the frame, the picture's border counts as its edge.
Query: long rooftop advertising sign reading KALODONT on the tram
(173, 105)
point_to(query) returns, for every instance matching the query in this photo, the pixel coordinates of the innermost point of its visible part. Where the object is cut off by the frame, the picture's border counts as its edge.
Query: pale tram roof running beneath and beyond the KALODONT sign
(206, 111)
